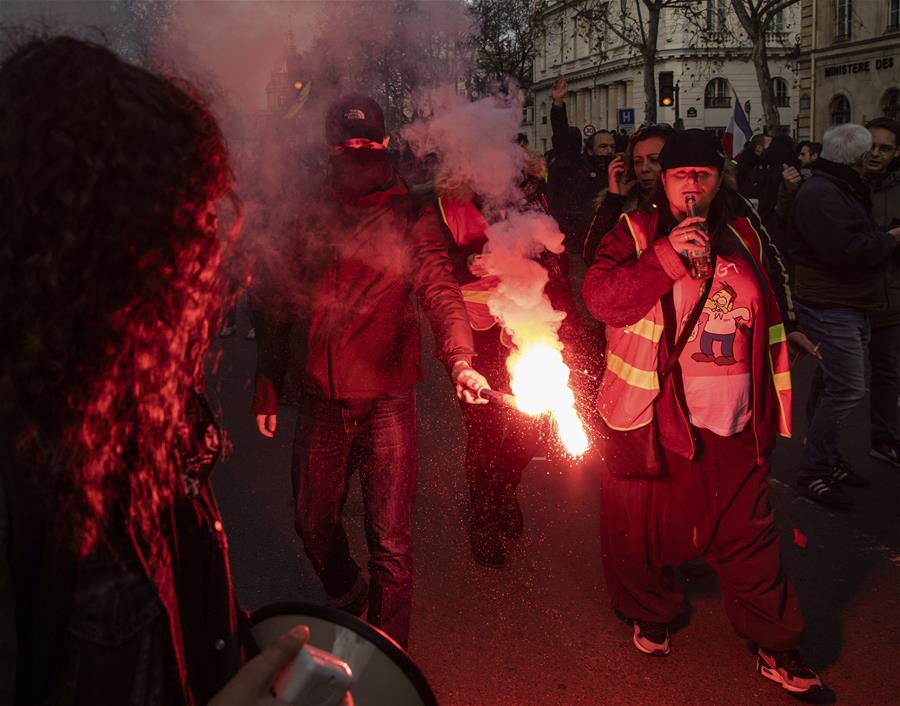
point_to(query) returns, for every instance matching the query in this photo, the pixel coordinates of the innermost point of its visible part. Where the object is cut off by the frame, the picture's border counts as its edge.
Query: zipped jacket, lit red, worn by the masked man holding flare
(361, 263)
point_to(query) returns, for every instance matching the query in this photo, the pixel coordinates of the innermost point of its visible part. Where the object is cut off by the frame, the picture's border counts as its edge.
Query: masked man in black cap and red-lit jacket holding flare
(363, 252)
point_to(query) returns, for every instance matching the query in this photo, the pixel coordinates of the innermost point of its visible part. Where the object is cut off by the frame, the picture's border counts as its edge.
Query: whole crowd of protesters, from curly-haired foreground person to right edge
(704, 274)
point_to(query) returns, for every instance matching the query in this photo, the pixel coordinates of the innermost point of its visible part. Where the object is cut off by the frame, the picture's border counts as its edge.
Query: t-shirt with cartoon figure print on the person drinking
(715, 363)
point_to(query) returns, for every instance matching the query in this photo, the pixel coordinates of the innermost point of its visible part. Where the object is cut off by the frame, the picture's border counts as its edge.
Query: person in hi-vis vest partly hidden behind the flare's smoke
(500, 441)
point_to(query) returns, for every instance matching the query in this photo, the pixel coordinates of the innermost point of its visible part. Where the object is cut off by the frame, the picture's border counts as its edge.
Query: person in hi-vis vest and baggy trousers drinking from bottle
(688, 427)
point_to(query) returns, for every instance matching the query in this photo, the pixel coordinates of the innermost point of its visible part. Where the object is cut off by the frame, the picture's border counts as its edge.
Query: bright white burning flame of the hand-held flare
(540, 382)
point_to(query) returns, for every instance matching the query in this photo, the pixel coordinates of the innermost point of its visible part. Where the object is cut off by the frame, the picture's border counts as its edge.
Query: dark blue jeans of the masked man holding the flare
(378, 439)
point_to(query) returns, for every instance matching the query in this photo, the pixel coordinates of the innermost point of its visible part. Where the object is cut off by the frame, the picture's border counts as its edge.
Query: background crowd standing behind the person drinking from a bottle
(832, 211)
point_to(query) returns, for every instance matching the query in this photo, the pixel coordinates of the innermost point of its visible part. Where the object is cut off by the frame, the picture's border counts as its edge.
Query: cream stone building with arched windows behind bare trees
(709, 57)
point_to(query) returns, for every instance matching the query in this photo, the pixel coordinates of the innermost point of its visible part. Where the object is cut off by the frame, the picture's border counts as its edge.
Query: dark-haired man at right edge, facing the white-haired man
(883, 176)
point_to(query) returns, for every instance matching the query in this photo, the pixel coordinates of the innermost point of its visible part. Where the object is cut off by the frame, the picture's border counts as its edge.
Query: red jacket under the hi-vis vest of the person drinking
(620, 288)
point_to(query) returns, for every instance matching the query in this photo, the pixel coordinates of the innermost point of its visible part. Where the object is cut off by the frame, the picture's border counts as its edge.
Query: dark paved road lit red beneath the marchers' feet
(540, 631)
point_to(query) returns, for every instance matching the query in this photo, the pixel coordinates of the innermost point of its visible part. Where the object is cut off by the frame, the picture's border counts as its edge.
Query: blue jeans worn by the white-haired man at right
(842, 335)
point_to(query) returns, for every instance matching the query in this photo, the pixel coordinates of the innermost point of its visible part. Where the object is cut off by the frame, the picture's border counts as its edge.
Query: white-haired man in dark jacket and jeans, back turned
(840, 255)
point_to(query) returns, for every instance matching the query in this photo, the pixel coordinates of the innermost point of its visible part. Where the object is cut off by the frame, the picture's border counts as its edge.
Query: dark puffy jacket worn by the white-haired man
(838, 252)
